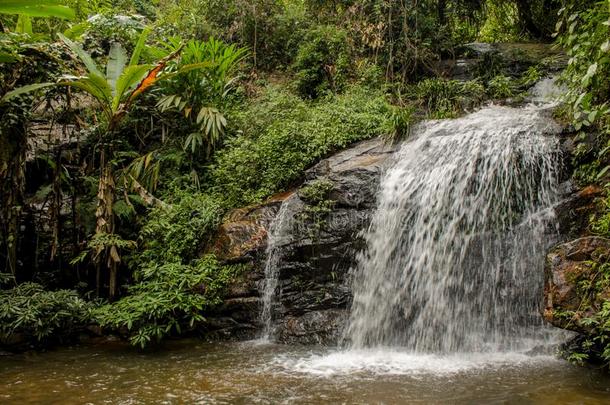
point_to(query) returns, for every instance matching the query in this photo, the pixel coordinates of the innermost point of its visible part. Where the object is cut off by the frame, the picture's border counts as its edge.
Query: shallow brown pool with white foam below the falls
(194, 372)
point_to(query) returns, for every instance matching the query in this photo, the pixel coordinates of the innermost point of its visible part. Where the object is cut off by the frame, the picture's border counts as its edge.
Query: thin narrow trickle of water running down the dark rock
(278, 234)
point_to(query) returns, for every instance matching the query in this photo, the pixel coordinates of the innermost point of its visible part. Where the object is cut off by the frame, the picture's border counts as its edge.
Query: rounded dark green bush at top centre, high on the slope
(322, 62)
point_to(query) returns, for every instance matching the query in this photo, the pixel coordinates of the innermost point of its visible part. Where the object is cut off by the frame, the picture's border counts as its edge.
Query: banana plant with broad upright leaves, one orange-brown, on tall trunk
(115, 88)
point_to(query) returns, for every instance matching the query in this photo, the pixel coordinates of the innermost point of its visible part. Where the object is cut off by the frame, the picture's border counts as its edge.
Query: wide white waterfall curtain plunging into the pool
(455, 251)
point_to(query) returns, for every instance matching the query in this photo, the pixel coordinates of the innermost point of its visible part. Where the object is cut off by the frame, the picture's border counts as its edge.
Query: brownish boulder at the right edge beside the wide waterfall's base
(571, 271)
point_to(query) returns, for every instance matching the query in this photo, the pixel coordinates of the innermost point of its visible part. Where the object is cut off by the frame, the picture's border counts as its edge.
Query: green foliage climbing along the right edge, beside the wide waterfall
(584, 31)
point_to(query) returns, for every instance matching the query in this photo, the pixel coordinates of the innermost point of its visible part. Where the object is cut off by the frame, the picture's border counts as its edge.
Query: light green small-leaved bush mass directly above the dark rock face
(283, 136)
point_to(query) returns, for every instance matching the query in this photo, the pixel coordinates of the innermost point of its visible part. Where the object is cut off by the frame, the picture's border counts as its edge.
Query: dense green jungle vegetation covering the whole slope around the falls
(129, 128)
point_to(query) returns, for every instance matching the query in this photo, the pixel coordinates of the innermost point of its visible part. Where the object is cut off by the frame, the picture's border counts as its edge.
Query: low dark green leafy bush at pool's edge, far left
(30, 314)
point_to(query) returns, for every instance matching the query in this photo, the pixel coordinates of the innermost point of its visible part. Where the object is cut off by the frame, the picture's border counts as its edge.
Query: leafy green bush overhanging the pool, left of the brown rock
(172, 286)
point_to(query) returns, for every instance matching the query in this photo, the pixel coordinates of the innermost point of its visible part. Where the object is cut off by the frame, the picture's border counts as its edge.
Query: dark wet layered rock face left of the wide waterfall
(327, 214)
